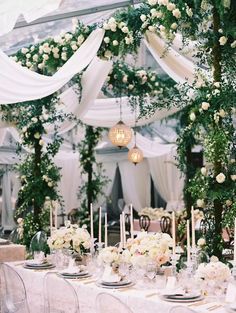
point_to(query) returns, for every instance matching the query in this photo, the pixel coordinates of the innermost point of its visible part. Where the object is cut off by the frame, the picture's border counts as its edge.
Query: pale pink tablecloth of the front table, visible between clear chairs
(138, 300)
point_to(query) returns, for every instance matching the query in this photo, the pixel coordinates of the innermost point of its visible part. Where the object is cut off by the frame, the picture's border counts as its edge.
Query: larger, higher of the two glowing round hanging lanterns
(120, 135)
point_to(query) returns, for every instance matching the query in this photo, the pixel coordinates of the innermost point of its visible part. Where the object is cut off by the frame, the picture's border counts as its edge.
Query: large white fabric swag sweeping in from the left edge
(19, 84)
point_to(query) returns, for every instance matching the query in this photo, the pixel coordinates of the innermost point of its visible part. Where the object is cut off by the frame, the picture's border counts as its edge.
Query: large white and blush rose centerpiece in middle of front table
(147, 248)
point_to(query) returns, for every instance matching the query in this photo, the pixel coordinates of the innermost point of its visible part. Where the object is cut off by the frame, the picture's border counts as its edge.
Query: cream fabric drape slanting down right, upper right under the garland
(177, 66)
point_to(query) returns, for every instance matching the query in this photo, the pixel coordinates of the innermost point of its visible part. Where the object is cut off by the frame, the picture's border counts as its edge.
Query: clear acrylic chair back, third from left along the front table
(106, 303)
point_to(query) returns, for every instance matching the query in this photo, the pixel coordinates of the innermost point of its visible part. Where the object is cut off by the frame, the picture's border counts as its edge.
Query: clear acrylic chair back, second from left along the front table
(59, 295)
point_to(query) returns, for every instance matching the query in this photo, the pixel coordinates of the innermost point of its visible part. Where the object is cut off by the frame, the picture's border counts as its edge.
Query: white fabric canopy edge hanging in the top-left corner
(31, 10)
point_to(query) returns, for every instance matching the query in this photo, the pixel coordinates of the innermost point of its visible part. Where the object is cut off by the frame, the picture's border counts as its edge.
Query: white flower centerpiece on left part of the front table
(70, 237)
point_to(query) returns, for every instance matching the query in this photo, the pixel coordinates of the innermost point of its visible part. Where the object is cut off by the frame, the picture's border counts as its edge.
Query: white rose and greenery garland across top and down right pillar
(209, 122)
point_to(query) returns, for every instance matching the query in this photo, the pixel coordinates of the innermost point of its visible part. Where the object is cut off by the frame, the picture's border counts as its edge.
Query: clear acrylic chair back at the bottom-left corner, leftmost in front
(13, 294)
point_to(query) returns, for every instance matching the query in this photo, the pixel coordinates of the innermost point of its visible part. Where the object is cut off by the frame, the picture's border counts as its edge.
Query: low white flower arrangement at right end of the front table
(213, 271)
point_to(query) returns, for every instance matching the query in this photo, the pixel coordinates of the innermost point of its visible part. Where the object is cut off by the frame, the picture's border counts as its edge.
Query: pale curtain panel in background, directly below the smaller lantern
(135, 183)
